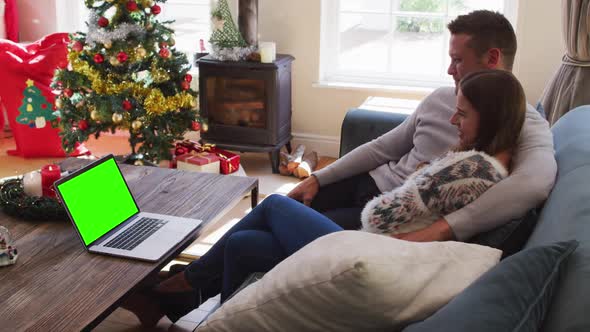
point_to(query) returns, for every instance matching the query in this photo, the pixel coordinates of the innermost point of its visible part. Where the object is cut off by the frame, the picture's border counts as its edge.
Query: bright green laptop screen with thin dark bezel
(98, 200)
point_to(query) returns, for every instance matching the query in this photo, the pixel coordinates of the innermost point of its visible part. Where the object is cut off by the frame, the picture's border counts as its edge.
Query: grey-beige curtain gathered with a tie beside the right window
(570, 87)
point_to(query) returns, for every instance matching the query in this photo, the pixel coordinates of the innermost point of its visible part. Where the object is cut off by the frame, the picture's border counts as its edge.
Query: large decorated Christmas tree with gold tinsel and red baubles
(126, 73)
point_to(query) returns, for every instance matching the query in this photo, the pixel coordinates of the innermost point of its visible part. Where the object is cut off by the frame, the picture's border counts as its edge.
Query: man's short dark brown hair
(488, 30)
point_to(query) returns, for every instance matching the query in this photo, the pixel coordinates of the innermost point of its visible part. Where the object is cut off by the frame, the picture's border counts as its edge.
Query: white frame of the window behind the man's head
(330, 75)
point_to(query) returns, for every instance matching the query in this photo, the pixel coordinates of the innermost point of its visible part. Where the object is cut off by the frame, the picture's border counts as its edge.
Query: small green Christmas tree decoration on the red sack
(35, 111)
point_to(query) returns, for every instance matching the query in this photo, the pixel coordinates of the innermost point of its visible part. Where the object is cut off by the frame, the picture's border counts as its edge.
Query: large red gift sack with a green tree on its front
(26, 73)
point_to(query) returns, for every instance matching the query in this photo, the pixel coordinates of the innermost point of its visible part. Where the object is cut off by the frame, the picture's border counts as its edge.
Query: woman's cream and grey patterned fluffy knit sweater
(446, 185)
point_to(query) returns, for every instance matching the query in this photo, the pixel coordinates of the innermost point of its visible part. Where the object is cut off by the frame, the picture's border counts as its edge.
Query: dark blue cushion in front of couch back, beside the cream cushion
(513, 296)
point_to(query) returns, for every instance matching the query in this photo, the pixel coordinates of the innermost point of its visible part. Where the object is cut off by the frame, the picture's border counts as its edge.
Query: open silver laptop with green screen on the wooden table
(107, 218)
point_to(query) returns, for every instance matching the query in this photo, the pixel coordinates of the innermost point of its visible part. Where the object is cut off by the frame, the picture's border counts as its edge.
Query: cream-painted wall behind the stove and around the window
(318, 111)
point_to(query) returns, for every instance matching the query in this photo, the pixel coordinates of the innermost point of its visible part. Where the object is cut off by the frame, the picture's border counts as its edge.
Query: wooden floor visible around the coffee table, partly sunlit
(254, 164)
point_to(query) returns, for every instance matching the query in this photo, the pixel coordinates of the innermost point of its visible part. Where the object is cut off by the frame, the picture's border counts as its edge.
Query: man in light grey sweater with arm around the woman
(479, 40)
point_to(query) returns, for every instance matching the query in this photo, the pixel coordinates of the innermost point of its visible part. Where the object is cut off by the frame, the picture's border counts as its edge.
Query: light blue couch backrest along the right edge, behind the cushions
(566, 215)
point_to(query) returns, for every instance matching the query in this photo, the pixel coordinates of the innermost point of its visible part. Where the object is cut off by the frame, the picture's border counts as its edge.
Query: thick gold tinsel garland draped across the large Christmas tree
(154, 101)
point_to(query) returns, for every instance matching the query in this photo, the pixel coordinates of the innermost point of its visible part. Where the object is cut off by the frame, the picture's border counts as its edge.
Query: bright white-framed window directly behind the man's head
(393, 42)
